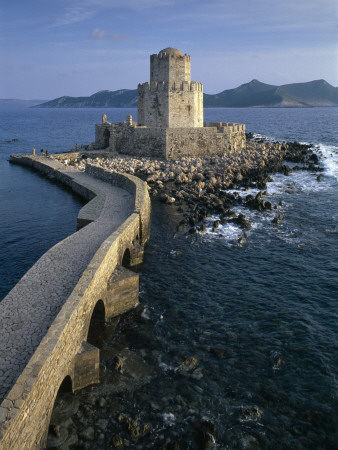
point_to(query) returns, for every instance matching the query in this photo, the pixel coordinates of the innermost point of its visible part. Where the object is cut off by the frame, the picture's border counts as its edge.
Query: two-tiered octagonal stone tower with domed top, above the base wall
(171, 99)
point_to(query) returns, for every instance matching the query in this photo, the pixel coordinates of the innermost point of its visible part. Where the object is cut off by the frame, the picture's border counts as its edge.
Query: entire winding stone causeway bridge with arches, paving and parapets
(46, 317)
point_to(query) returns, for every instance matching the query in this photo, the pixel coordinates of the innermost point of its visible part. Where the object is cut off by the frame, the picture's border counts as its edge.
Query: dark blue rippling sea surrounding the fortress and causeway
(236, 344)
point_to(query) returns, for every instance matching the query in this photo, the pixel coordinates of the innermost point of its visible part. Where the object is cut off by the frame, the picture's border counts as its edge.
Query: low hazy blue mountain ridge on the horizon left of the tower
(124, 98)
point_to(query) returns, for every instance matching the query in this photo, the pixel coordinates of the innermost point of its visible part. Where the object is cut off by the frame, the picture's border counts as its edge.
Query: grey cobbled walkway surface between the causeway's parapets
(29, 309)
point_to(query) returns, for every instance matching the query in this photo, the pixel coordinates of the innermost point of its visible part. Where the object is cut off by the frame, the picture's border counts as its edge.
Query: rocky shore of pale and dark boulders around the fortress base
(201, 187)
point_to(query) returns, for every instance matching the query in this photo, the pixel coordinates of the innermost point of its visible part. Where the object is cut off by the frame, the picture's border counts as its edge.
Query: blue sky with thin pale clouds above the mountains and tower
(52, 48)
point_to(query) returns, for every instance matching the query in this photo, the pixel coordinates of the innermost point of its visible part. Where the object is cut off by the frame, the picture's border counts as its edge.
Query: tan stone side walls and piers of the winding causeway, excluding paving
(26, 410)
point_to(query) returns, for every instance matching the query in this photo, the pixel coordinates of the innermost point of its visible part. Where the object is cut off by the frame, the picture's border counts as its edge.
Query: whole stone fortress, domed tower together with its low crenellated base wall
(170, 117)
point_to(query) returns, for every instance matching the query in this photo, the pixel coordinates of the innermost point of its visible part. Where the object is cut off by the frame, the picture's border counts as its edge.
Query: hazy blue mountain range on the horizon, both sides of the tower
(253, 94)
